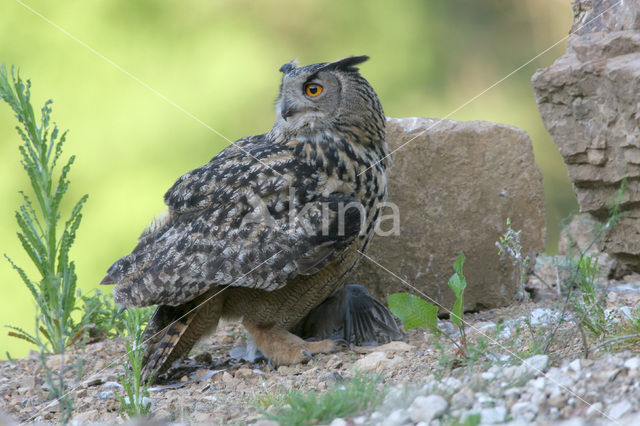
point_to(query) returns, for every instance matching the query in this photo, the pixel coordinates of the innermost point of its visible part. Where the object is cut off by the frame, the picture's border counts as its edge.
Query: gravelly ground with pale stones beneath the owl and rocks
(425, 386)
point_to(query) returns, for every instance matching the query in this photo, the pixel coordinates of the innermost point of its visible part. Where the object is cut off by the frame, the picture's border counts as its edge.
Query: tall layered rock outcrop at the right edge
(589, 100)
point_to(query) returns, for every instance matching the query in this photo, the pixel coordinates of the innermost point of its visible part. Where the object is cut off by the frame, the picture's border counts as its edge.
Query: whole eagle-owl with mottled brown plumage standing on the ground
(270, 226)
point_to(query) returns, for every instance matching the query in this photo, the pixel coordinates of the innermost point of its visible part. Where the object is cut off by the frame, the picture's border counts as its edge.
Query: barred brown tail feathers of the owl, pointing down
(173, 330)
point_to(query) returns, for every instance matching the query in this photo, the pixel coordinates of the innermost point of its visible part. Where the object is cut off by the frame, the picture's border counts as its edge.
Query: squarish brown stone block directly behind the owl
(454, 185)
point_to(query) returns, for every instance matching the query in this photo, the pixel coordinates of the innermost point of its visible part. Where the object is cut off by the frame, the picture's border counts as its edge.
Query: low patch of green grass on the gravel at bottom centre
(343, 400)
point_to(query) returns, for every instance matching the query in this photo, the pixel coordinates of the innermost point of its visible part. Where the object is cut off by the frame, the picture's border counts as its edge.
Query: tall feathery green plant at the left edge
(40, 235)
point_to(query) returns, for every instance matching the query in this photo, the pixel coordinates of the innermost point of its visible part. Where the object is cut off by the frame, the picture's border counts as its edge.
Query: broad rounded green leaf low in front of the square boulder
(414, 312)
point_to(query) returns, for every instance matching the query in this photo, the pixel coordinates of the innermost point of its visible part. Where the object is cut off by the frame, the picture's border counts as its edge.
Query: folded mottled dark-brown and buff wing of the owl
(228, 225)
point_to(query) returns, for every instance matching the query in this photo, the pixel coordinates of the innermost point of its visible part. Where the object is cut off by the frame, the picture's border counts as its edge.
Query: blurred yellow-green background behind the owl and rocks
(219, 60)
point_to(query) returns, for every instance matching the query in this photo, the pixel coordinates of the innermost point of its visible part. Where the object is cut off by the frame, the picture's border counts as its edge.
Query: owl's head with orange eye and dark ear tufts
(316, 97)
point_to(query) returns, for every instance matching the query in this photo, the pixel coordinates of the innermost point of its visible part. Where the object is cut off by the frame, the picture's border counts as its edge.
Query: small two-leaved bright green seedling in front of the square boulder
(416, 312)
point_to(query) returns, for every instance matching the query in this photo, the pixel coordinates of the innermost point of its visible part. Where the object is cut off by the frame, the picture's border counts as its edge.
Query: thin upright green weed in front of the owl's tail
(135, 402)
